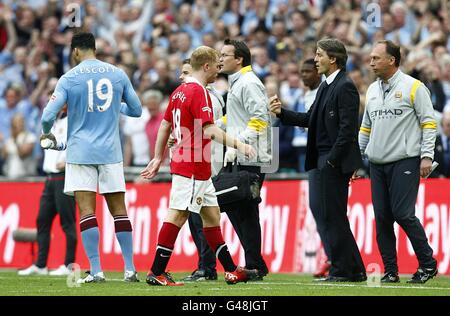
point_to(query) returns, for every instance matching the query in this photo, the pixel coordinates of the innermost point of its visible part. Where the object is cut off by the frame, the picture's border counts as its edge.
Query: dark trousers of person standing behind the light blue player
(54, 201)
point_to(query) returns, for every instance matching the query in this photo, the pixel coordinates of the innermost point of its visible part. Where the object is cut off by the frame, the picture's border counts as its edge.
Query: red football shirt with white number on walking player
(188, 111)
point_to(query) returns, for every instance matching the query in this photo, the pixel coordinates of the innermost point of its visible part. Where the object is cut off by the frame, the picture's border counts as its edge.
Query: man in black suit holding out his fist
(333, 149)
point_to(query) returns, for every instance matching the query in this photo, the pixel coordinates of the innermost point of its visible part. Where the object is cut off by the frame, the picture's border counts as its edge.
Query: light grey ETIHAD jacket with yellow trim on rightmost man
(398, 122)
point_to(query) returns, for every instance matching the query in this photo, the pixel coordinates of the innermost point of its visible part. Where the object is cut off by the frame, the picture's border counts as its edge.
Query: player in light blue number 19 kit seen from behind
(93, 91)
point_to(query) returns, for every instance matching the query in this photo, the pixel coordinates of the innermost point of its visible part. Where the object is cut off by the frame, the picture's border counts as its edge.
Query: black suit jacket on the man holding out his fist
(341, 111)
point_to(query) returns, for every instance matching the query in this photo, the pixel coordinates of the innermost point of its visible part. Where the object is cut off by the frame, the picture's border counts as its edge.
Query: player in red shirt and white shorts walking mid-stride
(189, 115)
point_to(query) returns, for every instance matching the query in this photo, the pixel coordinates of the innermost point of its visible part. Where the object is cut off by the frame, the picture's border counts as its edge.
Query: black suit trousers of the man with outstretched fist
(345, 258)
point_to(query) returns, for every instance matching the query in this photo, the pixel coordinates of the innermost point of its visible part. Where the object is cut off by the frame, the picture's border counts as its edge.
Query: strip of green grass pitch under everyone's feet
(273, 285)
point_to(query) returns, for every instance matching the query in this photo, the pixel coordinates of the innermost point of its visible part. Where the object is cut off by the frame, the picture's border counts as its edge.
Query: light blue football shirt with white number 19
(93, 91)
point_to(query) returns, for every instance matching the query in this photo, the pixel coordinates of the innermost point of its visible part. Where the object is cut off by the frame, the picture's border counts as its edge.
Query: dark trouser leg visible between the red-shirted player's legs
(206, 257)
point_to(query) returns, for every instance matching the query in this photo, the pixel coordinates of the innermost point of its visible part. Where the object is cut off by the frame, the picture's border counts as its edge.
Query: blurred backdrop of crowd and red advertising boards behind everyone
(149, 40)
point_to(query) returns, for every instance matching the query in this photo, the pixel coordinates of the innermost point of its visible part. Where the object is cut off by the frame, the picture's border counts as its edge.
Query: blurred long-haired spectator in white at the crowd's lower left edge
(18, 150)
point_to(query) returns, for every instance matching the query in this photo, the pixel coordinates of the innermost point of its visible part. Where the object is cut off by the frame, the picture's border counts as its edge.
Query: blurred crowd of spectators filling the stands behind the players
(150, 39)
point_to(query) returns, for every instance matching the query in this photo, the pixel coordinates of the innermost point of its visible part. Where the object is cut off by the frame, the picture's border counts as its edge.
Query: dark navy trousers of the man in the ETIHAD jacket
(394, 193)
